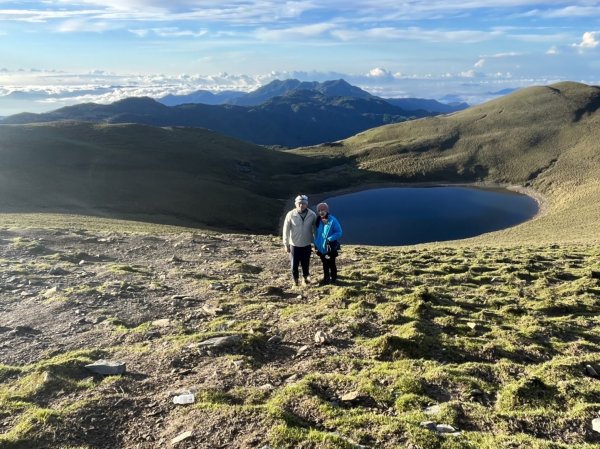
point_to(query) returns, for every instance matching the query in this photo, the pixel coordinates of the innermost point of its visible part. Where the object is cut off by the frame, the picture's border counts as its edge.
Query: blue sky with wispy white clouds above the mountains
(56, 52)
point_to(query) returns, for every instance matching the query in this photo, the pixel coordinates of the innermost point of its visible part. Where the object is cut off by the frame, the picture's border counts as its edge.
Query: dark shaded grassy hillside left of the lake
(167, 175)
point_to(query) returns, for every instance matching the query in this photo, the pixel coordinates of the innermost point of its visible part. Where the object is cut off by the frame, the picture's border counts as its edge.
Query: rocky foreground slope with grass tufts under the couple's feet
(423, 348)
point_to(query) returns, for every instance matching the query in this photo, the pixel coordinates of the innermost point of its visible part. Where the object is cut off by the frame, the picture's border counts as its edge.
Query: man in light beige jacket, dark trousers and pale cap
(298, 235)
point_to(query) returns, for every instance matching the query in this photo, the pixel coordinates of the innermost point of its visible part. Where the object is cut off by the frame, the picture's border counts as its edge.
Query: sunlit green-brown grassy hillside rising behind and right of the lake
(542, 138)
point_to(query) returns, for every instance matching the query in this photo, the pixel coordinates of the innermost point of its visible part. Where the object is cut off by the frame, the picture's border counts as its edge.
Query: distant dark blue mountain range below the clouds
(286, 113)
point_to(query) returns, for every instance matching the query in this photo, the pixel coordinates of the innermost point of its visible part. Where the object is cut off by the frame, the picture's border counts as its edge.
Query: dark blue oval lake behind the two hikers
(410, 215)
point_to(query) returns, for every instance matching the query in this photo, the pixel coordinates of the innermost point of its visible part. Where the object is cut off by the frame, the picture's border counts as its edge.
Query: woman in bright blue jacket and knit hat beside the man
(327, 234)
